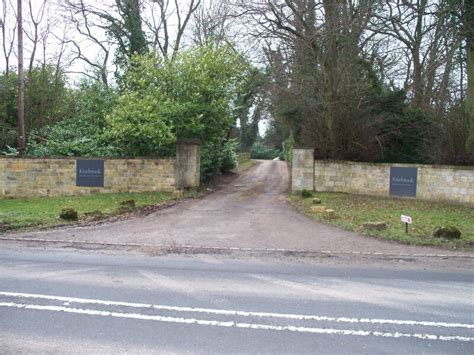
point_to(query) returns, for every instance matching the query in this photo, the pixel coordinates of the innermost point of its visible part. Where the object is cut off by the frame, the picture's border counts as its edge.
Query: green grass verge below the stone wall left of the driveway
(44, 211)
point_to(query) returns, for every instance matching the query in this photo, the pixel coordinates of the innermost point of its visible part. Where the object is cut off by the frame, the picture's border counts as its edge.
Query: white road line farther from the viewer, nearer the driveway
(70, 300)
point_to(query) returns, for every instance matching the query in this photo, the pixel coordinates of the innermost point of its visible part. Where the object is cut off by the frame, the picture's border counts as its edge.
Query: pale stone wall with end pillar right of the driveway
(447, 183)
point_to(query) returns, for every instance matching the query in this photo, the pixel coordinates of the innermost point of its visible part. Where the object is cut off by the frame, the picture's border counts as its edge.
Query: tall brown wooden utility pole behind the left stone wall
(21, 83)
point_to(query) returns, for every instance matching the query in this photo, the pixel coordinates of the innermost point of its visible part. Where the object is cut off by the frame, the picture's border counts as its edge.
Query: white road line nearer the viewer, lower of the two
(230, 324)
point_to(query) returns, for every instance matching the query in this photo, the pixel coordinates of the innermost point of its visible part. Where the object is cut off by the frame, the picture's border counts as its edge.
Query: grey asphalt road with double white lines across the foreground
(110, 302)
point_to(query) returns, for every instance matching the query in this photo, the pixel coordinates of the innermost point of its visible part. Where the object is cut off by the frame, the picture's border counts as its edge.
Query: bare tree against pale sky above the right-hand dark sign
(423, 31)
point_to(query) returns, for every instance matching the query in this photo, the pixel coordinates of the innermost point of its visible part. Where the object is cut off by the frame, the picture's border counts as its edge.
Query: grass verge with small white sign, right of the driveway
(353, 211)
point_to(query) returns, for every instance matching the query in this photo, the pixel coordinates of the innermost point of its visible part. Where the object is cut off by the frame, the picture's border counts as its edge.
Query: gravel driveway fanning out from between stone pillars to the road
(253, 211)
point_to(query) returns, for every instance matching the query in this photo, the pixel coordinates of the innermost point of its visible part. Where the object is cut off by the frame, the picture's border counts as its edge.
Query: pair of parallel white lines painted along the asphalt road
(68, 301)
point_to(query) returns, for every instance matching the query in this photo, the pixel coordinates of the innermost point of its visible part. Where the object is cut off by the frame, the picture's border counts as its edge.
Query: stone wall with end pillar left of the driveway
(57, 176)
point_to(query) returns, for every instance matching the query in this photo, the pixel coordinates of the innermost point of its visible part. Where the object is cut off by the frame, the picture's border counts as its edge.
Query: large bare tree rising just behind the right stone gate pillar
(321, 41)
